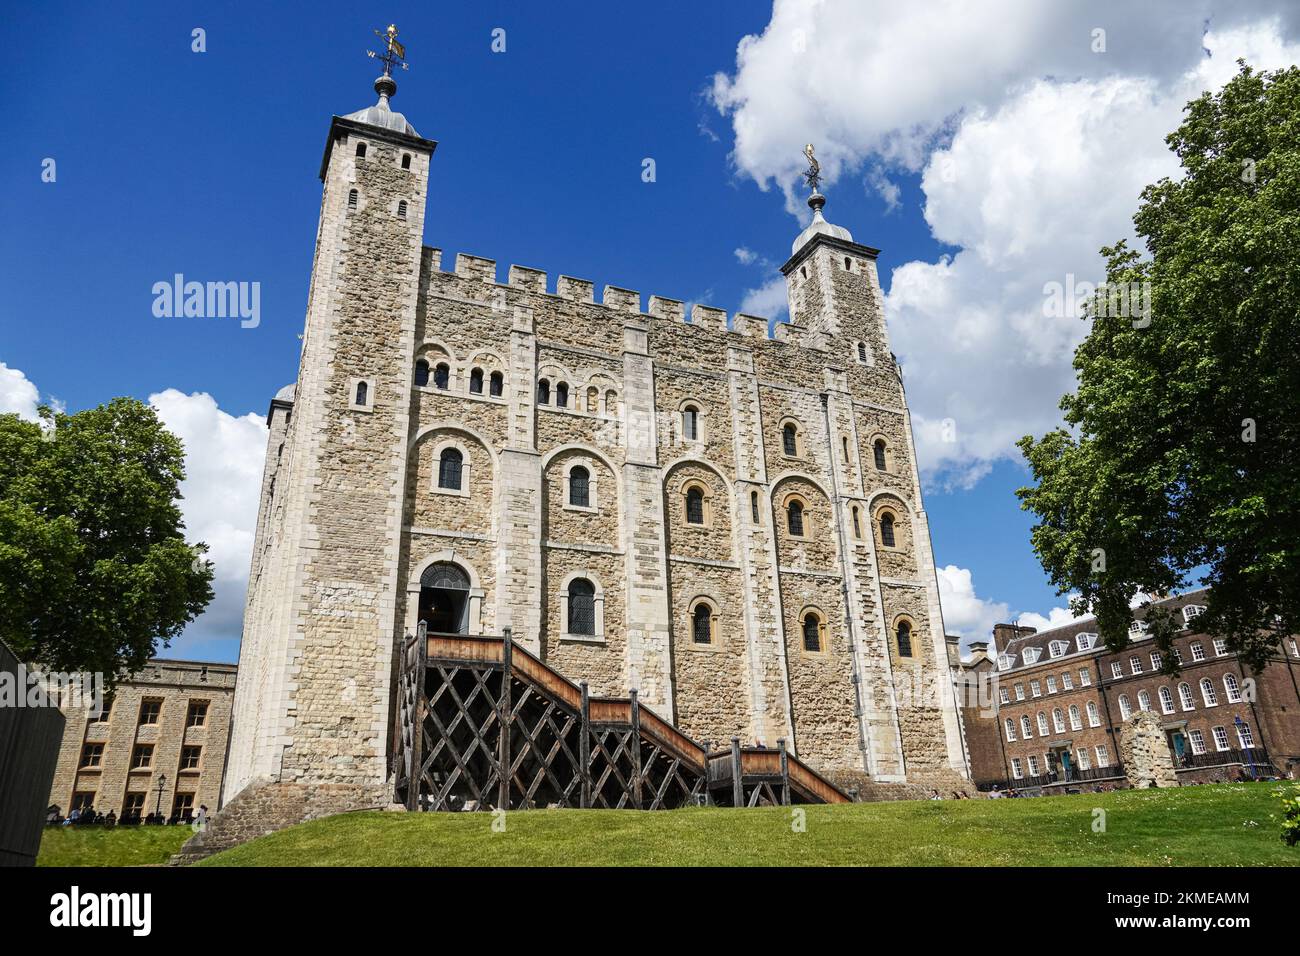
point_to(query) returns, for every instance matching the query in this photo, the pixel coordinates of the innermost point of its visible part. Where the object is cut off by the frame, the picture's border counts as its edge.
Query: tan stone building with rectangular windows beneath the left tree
(168, 725)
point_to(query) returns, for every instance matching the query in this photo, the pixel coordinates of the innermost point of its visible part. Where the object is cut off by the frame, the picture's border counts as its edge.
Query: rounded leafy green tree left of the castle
(94, 566)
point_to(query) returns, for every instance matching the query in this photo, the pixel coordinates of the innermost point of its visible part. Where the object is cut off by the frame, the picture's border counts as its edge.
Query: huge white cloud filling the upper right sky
(1033, 152)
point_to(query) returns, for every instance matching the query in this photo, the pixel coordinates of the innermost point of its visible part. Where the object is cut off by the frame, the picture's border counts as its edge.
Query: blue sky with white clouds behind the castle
(206, 165)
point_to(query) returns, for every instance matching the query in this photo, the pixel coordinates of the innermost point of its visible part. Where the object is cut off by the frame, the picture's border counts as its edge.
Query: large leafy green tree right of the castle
(1182, 461)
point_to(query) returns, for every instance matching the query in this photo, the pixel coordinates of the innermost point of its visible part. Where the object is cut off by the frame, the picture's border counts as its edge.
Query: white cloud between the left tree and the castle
(224, 460)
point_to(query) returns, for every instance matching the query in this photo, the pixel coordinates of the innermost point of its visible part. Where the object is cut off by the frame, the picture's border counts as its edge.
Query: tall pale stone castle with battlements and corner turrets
(730, 524)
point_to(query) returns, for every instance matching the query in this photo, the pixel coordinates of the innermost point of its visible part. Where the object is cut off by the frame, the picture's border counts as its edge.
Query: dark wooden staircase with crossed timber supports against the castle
(483, 724)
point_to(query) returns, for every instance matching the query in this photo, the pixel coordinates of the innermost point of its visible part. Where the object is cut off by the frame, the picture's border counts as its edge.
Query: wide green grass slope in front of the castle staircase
(1206, 827)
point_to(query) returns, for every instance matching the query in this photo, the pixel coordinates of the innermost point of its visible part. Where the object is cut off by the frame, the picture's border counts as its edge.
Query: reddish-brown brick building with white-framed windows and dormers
(1056, 704)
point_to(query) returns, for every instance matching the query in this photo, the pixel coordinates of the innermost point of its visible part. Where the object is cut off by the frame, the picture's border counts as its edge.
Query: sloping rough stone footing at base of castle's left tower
(265, 808)
